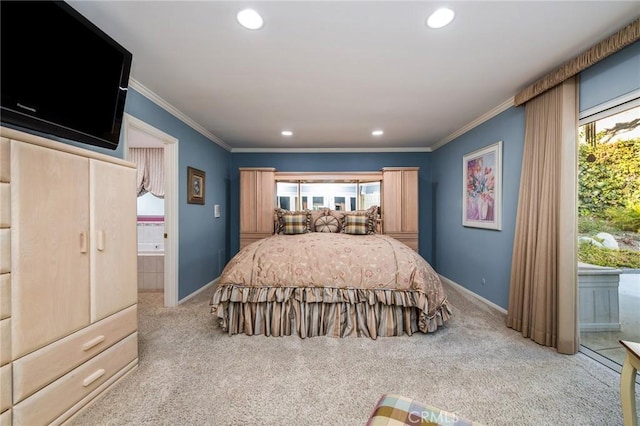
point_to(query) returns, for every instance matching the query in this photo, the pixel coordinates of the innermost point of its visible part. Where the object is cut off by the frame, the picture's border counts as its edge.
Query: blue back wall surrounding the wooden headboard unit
(337, 162)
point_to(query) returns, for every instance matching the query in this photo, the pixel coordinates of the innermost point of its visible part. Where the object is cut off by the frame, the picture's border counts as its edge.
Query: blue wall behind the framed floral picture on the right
(467, 255)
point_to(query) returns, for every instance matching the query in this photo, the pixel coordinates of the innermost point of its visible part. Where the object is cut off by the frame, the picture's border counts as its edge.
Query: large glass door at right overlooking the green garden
(608, 217)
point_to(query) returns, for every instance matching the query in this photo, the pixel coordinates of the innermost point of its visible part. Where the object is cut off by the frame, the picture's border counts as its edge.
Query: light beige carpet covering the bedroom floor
(192, 373)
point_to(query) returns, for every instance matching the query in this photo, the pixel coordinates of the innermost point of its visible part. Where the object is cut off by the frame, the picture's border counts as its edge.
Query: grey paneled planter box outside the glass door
(598, 298)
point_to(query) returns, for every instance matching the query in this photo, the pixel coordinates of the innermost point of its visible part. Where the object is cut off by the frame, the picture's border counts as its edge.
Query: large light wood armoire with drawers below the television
(68, 294)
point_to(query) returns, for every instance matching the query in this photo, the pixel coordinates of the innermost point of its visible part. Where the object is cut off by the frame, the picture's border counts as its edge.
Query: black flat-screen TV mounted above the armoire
(61, 75)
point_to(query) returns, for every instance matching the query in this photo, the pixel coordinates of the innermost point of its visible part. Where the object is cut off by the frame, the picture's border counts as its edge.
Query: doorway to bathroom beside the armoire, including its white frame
(156, 154)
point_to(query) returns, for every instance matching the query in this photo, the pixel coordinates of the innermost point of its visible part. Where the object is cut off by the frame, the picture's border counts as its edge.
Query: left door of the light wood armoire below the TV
(50, 245)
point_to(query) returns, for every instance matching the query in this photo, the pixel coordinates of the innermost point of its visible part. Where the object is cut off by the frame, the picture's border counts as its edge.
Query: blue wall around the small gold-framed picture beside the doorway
(202, 237)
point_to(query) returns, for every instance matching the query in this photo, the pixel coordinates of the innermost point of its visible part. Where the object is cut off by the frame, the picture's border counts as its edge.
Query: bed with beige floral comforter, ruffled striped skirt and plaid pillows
(329, 273)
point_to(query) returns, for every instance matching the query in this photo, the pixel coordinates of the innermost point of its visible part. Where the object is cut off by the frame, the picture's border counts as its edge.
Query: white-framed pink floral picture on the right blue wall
(482, 188)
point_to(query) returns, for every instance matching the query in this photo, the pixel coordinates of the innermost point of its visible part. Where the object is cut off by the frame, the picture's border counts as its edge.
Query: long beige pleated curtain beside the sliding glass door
(542, 289)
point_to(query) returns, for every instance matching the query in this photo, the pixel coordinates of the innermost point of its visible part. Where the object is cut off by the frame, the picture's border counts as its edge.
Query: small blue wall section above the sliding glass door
(615, 76)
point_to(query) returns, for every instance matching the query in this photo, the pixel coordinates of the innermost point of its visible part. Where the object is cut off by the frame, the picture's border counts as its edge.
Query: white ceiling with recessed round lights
(333, 71)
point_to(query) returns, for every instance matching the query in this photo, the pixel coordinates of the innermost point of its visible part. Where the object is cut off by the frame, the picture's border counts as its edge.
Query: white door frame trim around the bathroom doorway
(170, 205)
